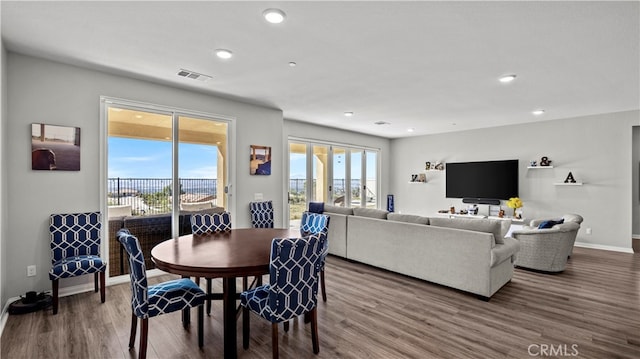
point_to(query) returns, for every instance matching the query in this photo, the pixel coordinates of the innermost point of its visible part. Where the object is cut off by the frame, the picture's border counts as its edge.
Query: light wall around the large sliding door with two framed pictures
(50, 92)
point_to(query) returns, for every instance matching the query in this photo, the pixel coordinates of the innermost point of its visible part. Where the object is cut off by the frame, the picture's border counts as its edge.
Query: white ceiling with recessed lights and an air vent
(432, 66)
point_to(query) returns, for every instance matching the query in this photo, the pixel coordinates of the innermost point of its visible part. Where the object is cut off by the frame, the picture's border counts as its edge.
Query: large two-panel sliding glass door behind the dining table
(160, 163)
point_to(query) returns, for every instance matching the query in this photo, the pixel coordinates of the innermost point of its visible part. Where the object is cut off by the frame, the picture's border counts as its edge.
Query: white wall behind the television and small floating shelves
(596, 149)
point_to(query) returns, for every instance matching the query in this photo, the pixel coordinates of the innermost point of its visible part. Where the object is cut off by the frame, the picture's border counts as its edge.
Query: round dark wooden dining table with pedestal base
(239, 252)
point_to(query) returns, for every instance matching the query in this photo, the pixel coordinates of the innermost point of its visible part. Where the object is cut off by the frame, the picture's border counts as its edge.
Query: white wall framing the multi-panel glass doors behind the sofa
(319, 133)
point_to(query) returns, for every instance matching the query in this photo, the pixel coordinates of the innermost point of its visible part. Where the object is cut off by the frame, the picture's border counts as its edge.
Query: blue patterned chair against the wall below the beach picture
(75, 250)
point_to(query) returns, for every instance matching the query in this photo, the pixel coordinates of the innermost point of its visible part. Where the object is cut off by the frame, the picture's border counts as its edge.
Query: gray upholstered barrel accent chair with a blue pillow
(547, 249)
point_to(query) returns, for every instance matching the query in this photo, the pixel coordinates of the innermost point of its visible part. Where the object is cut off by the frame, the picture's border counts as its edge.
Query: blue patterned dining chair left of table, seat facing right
(150, 301)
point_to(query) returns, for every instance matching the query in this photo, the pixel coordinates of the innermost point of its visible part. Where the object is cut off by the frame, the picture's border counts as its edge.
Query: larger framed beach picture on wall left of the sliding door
(55, 147)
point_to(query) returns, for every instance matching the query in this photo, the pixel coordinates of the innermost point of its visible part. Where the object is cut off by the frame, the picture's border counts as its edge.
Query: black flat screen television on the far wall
(482, 182)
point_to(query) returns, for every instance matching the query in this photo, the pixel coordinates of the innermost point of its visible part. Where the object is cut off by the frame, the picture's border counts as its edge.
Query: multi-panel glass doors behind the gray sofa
(339, 175)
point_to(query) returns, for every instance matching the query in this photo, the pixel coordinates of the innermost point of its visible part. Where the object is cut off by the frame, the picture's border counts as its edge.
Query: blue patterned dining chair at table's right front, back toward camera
(292, 289)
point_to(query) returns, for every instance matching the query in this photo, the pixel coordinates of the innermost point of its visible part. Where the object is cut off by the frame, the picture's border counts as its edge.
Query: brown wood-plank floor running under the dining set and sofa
(591, 310)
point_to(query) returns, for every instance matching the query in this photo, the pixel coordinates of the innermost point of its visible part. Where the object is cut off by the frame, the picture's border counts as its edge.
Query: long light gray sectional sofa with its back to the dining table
(468, 254)
